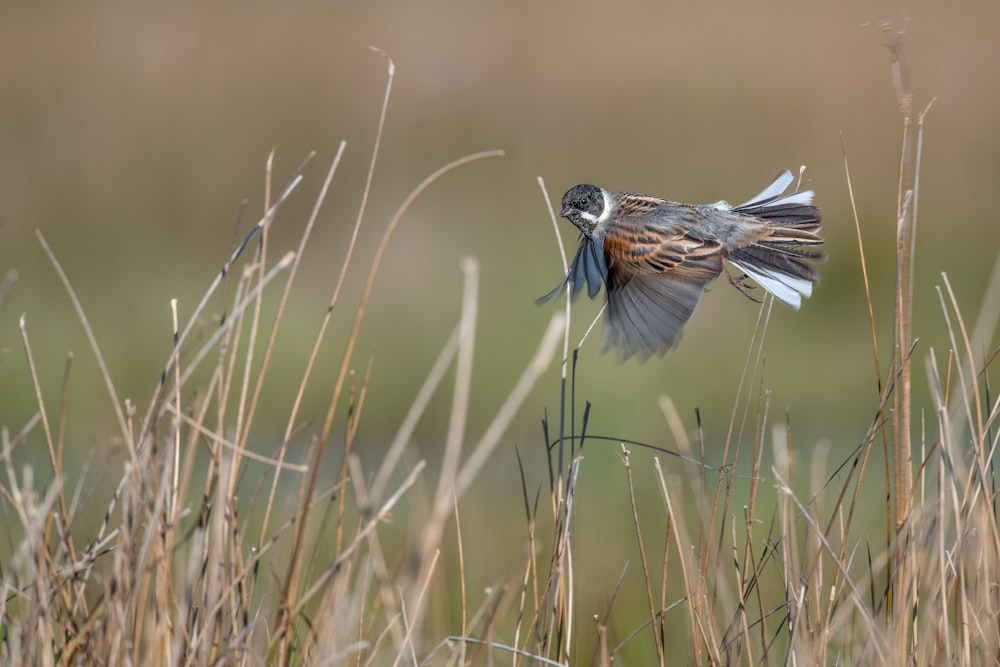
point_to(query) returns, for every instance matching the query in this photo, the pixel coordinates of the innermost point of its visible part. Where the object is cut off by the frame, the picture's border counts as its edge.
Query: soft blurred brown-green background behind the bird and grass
(130, 134)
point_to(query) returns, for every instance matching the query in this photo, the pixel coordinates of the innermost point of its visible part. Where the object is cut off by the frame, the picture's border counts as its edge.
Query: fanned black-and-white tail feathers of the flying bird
(782, 261)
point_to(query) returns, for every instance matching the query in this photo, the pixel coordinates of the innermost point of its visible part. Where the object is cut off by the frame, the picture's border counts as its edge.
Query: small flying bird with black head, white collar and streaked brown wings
(655, 257)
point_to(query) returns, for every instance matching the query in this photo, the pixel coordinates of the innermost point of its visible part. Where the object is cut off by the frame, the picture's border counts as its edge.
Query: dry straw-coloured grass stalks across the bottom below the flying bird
(198, 562)
